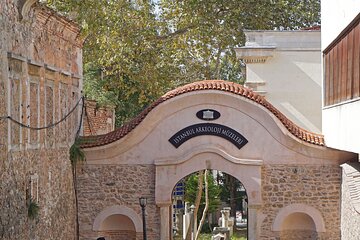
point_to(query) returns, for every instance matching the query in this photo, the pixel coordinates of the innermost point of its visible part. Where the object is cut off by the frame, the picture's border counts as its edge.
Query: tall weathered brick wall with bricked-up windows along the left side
(40, 81)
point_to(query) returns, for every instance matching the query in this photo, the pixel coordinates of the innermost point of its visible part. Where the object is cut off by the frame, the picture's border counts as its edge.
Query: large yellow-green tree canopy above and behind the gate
(146, 48)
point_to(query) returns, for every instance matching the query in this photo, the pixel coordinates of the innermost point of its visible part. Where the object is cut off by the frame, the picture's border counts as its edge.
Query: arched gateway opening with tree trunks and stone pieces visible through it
(226, 207)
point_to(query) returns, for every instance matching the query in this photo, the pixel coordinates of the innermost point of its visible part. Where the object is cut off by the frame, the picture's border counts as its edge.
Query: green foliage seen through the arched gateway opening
(191, 187)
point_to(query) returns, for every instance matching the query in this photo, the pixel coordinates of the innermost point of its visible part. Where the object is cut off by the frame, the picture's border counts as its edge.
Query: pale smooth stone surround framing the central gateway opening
(247, 171)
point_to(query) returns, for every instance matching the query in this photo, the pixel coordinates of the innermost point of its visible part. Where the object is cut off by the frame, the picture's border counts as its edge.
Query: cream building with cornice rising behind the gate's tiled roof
(291, 77)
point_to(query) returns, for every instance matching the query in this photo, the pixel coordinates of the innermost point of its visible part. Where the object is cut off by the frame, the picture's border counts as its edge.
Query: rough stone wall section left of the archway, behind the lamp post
(102, 186)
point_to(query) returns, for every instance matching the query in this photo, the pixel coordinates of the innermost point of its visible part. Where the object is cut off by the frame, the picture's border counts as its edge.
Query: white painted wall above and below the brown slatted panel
(340, 122)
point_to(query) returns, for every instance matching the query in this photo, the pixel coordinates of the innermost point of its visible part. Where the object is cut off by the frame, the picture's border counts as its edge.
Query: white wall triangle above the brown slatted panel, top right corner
(335, 16)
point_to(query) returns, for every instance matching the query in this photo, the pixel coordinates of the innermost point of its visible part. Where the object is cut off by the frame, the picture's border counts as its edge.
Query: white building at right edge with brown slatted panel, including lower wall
(341, 99)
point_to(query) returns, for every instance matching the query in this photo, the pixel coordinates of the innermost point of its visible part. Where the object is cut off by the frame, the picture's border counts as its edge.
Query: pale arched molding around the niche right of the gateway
(299, 208)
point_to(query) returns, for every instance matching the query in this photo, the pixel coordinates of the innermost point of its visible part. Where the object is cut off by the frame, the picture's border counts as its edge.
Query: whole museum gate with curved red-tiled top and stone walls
(214, 125)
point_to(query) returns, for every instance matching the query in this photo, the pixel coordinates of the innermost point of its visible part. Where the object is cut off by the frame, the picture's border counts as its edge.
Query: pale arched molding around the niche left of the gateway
(116, 209)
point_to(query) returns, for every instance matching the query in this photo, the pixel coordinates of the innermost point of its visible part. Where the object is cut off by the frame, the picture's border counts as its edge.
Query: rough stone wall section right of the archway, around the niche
(314, 185)
